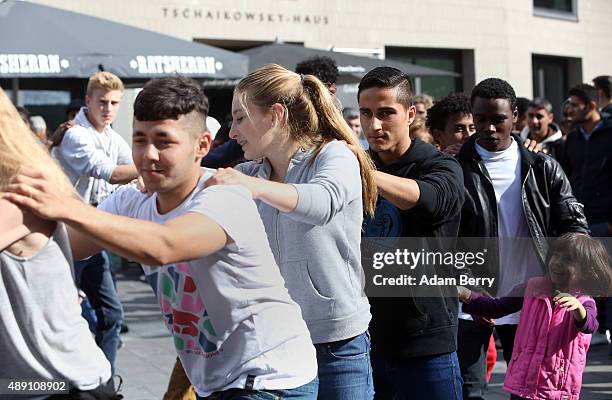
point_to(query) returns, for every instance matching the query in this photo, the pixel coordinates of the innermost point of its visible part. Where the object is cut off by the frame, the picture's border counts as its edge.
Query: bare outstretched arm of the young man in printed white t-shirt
(187, 237)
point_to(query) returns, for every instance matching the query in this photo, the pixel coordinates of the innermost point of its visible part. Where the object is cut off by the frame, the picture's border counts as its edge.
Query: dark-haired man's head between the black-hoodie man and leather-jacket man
(450, 122)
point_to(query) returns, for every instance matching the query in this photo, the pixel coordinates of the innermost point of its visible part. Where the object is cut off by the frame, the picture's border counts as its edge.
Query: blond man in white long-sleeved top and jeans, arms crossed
(96, 160)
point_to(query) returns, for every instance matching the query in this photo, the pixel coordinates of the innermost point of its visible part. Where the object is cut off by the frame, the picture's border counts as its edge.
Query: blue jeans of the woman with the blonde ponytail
(345, 371)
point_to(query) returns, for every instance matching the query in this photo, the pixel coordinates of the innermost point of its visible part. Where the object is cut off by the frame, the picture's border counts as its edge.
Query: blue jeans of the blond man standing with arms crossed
(93, 276)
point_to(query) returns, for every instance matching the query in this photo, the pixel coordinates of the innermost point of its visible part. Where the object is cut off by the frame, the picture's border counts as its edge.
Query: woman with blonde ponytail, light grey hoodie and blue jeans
(311, 192)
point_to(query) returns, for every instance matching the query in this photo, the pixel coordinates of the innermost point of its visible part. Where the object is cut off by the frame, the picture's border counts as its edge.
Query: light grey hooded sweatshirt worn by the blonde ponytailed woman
(317, 245)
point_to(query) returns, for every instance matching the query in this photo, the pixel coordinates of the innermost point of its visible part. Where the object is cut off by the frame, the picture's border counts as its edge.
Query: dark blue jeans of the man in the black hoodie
(432, 377)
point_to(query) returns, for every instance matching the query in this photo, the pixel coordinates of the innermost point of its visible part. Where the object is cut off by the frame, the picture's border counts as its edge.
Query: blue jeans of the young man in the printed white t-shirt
(304, 392)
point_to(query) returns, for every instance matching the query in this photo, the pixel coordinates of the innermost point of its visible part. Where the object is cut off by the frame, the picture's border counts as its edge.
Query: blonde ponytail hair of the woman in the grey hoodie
(311, 116)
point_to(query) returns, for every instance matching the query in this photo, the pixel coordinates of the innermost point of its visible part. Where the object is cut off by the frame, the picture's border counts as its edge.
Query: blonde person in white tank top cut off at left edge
(43, 335)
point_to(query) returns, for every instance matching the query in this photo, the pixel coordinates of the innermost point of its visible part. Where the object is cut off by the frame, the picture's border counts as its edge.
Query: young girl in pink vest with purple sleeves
(557, 319)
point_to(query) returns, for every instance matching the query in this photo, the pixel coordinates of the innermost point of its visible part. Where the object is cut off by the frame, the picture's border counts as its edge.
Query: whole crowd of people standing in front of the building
(251, 241)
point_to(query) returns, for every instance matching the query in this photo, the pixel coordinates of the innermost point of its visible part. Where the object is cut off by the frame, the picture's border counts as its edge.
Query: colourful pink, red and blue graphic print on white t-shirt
(183, 309)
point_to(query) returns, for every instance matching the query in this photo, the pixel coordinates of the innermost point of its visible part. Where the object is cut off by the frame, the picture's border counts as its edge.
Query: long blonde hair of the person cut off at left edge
(19, 148)
